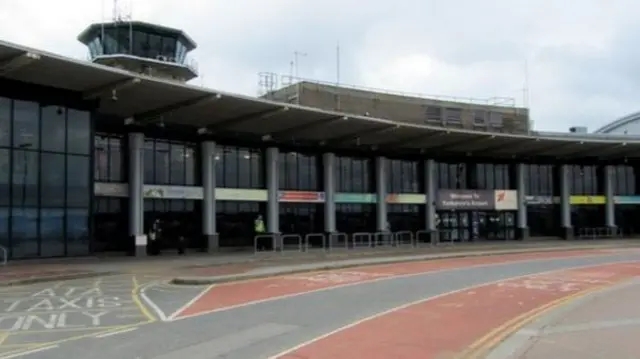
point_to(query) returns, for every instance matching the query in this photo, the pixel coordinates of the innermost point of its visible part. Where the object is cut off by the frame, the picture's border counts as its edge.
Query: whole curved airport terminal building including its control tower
(93, 152)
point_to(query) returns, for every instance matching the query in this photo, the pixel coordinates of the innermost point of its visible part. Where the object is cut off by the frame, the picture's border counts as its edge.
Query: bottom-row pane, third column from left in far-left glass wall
(52, 232)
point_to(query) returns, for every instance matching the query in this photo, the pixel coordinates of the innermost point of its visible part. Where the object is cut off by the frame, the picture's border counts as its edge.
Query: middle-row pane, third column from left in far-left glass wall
(52, 180)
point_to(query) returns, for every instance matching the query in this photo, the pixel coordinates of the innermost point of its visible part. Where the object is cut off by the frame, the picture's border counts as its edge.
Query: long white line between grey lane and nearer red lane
(420, 301)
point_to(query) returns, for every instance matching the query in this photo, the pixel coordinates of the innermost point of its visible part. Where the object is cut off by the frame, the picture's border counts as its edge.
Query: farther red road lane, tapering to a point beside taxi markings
(239, 293)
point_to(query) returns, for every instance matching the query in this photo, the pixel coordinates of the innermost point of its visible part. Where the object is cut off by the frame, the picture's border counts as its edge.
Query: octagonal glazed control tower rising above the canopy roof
(141, 47)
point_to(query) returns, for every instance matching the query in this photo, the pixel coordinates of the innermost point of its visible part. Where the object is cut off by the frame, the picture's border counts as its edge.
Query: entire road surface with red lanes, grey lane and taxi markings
(328, 314)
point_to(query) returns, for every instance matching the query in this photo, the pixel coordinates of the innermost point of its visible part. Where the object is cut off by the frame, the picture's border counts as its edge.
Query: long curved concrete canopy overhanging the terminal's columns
(144, 100)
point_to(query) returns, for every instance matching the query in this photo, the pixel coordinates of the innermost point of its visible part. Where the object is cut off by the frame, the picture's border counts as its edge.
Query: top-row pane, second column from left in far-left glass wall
(26, 132)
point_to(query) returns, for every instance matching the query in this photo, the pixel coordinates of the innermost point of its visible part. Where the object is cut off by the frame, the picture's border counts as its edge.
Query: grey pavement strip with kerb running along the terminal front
(201, 269)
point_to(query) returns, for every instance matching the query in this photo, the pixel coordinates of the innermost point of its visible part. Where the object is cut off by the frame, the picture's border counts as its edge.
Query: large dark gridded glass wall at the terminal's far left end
(46, 184)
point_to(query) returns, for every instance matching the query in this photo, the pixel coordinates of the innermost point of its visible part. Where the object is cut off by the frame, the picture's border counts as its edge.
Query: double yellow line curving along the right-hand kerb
(481, 347)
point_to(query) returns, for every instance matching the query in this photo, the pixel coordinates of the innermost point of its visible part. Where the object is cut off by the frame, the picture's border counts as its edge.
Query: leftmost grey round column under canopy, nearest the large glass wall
(136, 199)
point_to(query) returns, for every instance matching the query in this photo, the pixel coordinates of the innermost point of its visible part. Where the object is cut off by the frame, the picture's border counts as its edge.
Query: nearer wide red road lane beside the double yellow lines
(446, 326)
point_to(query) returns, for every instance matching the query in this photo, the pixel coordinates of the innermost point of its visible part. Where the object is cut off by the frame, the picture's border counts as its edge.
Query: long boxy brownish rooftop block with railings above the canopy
(496, 114)
